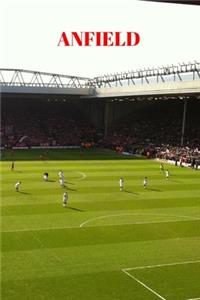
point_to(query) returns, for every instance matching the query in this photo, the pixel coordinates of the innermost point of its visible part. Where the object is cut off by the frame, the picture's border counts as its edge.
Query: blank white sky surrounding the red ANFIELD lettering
(30, 31)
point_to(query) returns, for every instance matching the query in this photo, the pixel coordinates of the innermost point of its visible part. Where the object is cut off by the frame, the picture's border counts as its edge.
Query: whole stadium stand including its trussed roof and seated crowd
(152, 112)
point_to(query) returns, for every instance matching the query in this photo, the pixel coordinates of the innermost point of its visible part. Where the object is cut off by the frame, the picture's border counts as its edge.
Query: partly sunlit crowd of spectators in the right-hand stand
(157, 134)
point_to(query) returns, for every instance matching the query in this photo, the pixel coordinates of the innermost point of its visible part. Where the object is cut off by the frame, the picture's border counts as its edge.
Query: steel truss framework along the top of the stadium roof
(32, 79)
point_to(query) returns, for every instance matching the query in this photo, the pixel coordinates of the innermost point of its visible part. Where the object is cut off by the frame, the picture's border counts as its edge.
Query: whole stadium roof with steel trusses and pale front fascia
(170, 80)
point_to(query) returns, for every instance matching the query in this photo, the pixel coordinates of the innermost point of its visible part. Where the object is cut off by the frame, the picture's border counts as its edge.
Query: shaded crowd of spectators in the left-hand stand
(49, 132)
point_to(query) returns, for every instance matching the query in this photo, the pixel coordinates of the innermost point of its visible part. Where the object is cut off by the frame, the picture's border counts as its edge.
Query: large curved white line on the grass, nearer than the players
(138, 214)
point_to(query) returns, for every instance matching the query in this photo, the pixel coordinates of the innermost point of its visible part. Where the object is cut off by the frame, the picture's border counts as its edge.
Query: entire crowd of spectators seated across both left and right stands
(145, 133)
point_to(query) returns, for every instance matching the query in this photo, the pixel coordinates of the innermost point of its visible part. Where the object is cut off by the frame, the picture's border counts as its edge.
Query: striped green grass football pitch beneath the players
(107, 245)
